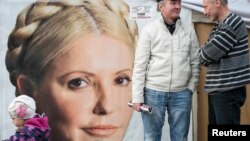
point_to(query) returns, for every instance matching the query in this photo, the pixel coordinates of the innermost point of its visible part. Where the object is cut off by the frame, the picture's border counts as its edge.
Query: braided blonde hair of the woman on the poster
(44, 30)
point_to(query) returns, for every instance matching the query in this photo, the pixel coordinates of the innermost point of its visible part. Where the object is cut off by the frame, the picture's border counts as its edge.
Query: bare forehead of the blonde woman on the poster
(96, 52)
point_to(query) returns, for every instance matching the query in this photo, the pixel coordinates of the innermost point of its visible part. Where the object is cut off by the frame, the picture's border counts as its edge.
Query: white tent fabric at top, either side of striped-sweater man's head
(240, 7)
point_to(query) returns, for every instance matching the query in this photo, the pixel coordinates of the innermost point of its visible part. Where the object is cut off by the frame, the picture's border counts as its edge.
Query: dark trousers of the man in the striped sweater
(224, 107)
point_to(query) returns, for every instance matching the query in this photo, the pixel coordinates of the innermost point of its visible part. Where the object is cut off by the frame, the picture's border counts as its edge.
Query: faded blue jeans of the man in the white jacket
(178, 106)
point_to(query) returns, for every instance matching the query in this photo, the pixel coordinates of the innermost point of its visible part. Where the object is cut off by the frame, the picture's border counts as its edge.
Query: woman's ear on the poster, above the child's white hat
(24, 85)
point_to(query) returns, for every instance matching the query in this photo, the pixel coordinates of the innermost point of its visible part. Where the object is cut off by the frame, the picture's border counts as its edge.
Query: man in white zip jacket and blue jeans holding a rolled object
(166, 73)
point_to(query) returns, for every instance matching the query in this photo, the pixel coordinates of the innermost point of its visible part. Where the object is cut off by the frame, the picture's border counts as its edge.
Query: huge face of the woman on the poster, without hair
(85, 90)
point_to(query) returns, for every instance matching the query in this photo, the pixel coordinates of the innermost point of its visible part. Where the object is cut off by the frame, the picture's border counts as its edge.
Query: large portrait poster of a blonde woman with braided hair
(77, 64)
